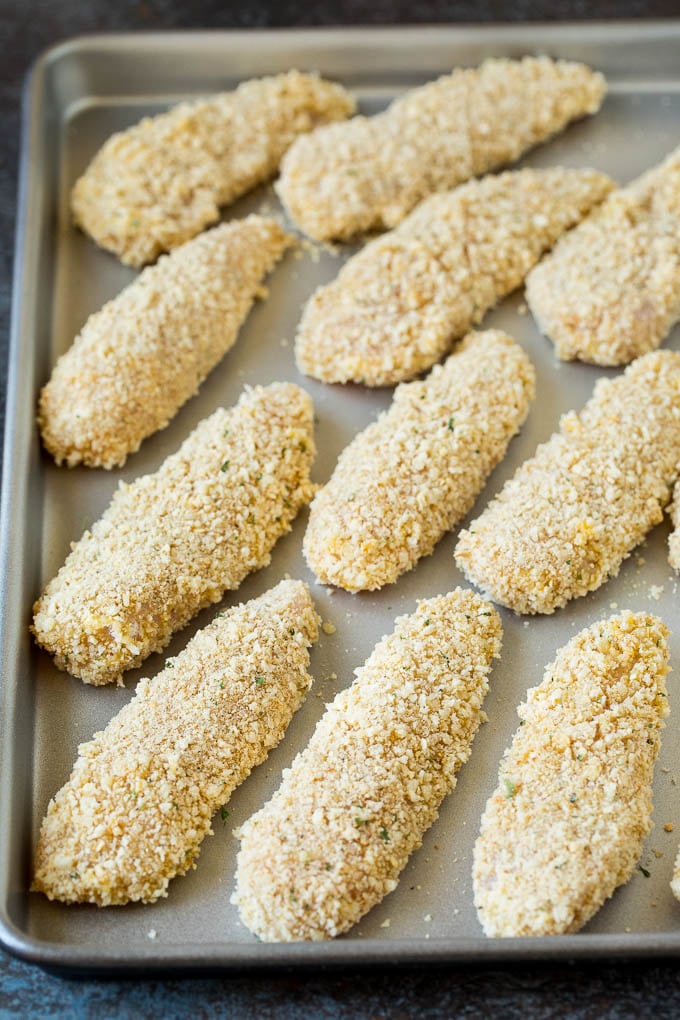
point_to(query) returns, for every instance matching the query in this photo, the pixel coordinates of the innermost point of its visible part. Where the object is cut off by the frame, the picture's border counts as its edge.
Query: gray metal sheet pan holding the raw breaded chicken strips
(81, 92)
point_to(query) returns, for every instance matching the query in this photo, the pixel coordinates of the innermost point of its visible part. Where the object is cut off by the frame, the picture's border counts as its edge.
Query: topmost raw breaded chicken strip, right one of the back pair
(371, 173)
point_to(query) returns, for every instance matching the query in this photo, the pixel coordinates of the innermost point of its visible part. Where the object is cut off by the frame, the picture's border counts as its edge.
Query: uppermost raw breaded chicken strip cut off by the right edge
(611, 290)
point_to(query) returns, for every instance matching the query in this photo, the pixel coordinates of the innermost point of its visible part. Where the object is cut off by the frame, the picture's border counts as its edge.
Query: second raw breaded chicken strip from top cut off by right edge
(571, 515)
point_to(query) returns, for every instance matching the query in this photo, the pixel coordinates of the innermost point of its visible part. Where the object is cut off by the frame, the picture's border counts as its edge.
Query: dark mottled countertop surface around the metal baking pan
(617, 991)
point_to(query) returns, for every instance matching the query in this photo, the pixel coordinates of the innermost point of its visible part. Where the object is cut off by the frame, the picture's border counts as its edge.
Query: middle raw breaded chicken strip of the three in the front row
(355, 804)
